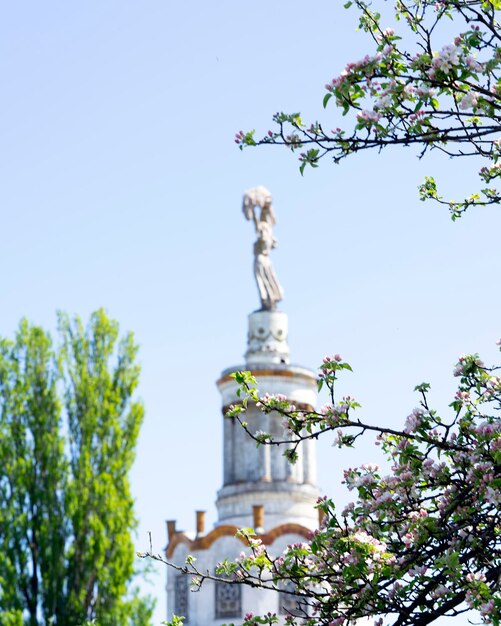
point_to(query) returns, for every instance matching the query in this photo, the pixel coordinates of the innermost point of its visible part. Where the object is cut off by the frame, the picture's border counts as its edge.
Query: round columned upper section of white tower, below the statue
(263, 476)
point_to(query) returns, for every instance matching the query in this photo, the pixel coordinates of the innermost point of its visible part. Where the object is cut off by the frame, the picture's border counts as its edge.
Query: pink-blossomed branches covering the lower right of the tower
(420, 541)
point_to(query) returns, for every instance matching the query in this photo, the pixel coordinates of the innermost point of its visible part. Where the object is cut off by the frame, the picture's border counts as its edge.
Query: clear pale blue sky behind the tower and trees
(121, 187)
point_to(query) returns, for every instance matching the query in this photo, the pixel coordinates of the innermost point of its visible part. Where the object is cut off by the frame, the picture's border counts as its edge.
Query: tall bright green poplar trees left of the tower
(68, 430)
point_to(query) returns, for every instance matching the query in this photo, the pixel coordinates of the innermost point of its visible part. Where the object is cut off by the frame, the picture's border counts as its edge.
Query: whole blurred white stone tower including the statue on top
(261, 489)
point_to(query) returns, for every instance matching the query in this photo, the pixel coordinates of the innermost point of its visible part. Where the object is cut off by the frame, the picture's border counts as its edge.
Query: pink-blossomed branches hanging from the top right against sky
(418, 86)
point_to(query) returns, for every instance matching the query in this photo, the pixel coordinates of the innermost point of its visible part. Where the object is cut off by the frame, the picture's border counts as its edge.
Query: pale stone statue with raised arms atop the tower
(270, 291)
